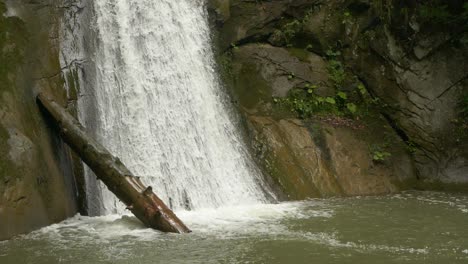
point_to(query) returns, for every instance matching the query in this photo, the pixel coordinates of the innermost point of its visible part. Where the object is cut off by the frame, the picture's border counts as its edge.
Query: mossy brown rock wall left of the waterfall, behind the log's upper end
(35, 181)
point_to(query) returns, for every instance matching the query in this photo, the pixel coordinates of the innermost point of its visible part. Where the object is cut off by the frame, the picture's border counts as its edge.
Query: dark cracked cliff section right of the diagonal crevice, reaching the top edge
(417, 69)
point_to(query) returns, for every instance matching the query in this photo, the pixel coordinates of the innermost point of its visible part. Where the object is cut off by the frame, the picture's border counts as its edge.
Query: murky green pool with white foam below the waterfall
(413, 227)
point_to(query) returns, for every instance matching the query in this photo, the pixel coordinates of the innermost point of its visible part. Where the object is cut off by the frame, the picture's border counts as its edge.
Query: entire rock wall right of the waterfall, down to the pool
(416, 76)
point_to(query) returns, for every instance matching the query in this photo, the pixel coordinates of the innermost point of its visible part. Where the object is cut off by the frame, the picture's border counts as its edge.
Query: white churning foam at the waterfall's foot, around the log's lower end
(224, 222)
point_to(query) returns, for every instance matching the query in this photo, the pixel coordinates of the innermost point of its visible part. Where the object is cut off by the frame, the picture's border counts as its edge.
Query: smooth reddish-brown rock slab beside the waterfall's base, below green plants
(316, 159)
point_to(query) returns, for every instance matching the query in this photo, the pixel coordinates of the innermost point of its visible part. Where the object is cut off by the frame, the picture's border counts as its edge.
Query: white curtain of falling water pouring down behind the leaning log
(160, 107)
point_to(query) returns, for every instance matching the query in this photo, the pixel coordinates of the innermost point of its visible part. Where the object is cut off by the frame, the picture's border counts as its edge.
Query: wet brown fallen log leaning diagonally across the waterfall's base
(140, 200)
